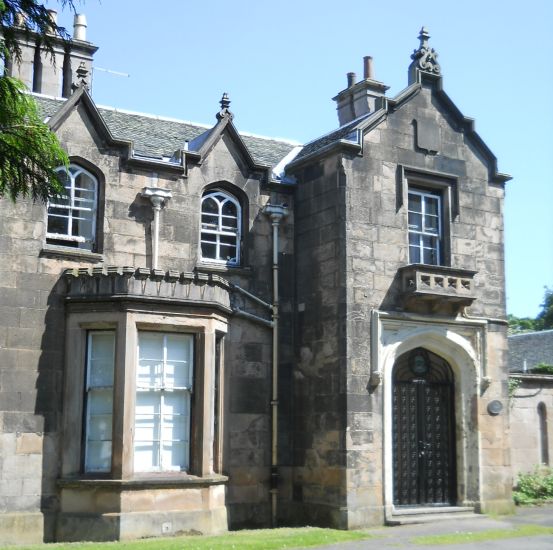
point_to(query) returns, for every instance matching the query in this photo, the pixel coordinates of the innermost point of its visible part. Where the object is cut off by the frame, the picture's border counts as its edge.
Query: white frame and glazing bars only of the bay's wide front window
(162, 390)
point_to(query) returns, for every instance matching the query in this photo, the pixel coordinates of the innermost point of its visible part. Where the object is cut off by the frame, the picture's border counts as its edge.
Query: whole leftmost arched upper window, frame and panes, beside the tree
(72, 217)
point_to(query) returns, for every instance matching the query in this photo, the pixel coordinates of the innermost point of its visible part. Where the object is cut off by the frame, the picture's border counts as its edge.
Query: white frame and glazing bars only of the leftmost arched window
(75, 206)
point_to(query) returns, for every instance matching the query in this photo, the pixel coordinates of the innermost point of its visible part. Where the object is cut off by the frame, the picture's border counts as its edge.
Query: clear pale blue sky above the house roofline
(282, 62)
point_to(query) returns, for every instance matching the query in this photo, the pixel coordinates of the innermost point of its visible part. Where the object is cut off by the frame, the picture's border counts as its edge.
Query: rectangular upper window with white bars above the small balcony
(425, 227)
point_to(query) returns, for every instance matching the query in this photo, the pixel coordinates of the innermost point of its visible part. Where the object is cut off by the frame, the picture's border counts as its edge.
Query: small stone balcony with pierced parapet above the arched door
(436, 289)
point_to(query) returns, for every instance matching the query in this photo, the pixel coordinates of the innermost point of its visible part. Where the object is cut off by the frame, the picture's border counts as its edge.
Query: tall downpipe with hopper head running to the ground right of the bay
(276, 213)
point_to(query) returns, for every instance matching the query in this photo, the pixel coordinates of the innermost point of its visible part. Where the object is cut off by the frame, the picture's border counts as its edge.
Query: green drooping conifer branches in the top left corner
(29, 151)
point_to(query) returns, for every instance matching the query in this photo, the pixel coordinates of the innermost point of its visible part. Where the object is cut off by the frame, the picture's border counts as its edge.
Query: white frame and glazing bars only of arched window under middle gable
(220, 197)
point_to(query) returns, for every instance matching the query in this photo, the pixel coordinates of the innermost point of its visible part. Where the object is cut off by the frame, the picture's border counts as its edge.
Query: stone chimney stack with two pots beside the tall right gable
(360, 98)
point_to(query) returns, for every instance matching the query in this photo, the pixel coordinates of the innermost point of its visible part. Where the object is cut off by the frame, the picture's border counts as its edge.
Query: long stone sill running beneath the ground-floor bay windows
(144, 482)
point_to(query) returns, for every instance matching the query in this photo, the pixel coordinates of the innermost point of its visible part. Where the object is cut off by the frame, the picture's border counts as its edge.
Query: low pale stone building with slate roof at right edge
(531, 402)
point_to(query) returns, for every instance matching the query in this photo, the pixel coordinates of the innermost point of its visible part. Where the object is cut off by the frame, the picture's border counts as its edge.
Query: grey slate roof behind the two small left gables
(157, 137)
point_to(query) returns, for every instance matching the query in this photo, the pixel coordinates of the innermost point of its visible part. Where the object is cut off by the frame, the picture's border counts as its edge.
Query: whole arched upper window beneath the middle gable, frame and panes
(220, 231)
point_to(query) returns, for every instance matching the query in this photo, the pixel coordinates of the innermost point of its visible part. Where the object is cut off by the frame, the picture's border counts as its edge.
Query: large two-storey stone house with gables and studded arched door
(214, 329)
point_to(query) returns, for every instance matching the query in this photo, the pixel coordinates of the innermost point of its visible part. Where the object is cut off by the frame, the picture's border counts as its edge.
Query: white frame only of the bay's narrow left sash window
(88, 467)
